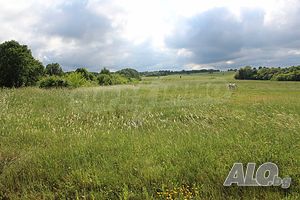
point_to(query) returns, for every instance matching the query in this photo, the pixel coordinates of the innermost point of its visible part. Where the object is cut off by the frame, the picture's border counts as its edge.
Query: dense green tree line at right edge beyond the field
(274, 73)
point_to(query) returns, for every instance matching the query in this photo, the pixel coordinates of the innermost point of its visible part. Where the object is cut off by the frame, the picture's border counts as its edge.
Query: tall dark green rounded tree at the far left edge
(17, 65)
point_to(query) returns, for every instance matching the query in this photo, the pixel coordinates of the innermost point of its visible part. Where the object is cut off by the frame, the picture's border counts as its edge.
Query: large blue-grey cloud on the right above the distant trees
(219, 37)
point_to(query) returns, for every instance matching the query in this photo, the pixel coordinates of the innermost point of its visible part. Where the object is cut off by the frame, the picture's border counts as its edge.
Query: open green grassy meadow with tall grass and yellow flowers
(166, 137)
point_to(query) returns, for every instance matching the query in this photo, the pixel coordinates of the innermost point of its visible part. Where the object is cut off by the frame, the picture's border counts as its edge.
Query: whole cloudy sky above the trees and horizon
(155, 34)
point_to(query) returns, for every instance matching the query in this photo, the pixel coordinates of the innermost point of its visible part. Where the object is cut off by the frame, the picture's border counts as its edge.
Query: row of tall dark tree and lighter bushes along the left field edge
(19, 68)
